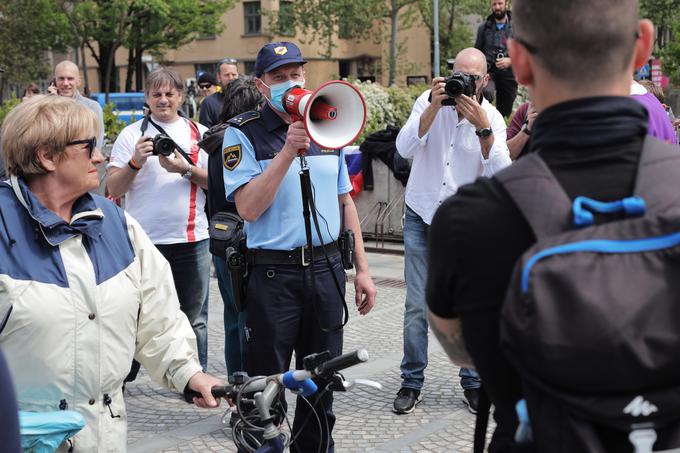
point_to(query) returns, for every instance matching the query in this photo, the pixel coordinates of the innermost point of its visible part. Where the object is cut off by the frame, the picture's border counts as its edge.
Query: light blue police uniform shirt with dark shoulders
(249, 148)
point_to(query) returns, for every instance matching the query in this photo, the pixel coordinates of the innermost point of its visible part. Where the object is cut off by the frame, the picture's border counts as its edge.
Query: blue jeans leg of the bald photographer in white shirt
(414, 361)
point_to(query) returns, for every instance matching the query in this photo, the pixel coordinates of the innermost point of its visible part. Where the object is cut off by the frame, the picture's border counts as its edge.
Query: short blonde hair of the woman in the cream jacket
(47, 122)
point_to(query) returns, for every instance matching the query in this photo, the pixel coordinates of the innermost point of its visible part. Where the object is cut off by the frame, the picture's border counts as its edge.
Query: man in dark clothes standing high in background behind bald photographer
(492, 39)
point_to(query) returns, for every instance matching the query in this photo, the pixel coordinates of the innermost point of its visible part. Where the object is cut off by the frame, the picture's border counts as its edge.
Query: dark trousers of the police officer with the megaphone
(281, 319)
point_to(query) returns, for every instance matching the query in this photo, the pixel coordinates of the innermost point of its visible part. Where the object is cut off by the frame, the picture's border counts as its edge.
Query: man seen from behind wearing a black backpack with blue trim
(587, 333)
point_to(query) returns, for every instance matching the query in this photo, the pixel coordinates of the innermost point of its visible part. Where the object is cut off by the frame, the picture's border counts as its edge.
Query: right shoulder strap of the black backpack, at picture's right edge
(658, 177)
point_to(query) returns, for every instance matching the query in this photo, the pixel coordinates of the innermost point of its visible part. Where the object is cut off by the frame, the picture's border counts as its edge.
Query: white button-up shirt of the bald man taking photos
(448, 156)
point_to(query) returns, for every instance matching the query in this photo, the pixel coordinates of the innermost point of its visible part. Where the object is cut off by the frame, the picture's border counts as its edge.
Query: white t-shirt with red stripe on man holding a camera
(169, 207)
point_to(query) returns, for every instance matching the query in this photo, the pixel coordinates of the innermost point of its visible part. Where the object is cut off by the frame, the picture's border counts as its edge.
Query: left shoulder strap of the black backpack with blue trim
(547, 214)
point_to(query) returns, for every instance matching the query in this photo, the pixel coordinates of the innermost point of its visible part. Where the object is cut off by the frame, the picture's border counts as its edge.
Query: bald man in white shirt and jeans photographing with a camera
(451, 145)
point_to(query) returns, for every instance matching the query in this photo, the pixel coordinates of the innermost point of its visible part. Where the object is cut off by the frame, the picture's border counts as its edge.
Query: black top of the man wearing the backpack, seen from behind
(592, 147)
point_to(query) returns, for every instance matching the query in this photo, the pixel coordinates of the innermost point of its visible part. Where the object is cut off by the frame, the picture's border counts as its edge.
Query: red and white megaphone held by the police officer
(333, 115)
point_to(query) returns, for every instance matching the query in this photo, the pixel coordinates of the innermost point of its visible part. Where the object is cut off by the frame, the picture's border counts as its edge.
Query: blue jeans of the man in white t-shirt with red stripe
(190, 265)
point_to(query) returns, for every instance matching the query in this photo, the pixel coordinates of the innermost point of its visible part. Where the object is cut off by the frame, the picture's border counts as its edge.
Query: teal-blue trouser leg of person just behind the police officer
(234, 322)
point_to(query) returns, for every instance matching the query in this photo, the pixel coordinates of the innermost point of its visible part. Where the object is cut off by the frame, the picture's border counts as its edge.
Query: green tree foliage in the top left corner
(27, 29)
